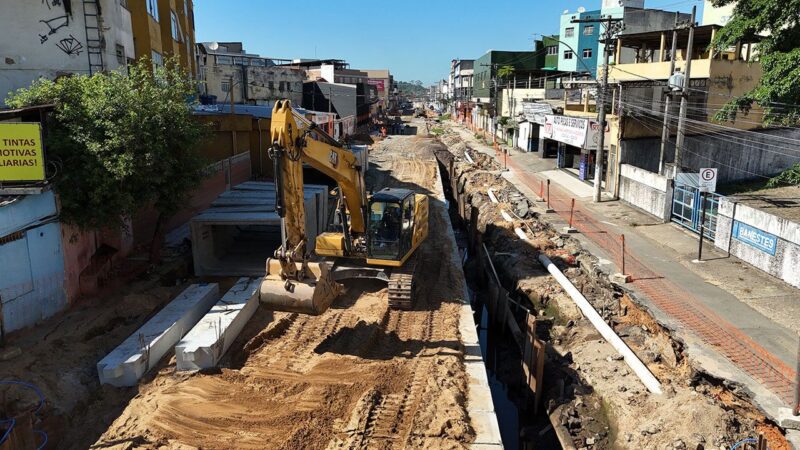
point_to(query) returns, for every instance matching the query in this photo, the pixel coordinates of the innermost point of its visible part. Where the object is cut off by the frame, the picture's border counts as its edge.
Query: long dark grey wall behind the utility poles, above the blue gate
(738, 156)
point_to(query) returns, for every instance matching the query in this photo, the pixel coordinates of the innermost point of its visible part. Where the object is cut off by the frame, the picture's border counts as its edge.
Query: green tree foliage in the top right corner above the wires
(778, 91)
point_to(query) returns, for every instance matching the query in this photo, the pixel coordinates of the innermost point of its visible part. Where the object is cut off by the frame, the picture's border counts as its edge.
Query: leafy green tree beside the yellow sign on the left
(120, 142)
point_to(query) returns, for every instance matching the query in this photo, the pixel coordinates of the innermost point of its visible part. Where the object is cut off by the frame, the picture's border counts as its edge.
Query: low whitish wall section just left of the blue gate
(646, 190)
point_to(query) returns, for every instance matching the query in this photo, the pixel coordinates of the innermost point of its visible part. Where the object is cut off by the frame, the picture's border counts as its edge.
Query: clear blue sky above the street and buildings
(414, 39)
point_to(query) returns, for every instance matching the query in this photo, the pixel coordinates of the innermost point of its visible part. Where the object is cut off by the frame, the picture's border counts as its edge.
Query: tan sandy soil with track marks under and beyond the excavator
(358, 376)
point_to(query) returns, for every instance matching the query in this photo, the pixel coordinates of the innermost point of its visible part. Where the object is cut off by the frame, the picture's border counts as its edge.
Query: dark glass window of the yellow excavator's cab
(385, 230)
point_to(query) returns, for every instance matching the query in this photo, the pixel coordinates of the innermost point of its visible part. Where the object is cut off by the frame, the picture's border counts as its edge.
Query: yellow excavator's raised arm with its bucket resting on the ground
(294, 283)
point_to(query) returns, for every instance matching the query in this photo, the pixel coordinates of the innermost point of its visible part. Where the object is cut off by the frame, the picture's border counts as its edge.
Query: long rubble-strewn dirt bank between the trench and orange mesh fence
(601, 402)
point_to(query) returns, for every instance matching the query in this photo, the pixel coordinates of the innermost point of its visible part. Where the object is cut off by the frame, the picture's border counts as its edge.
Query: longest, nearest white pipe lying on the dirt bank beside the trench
(602, 327)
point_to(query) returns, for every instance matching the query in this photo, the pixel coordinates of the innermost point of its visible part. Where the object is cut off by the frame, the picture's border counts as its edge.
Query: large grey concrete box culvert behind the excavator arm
(241, 229)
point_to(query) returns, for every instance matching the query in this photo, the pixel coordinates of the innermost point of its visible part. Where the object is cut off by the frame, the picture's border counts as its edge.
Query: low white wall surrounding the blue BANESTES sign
(784, 264)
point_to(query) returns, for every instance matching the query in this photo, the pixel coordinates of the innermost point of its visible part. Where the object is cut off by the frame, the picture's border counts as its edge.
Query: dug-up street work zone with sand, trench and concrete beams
(515, 338)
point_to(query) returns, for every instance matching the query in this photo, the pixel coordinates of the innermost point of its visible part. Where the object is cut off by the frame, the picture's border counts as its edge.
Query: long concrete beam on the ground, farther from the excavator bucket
(142, 350)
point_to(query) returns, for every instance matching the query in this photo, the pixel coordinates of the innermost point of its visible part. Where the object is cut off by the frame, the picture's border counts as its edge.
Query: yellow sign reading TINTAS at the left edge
(21, 154)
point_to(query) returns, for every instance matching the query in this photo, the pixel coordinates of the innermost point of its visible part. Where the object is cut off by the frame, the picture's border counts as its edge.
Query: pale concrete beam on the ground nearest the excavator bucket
(208, 341)
